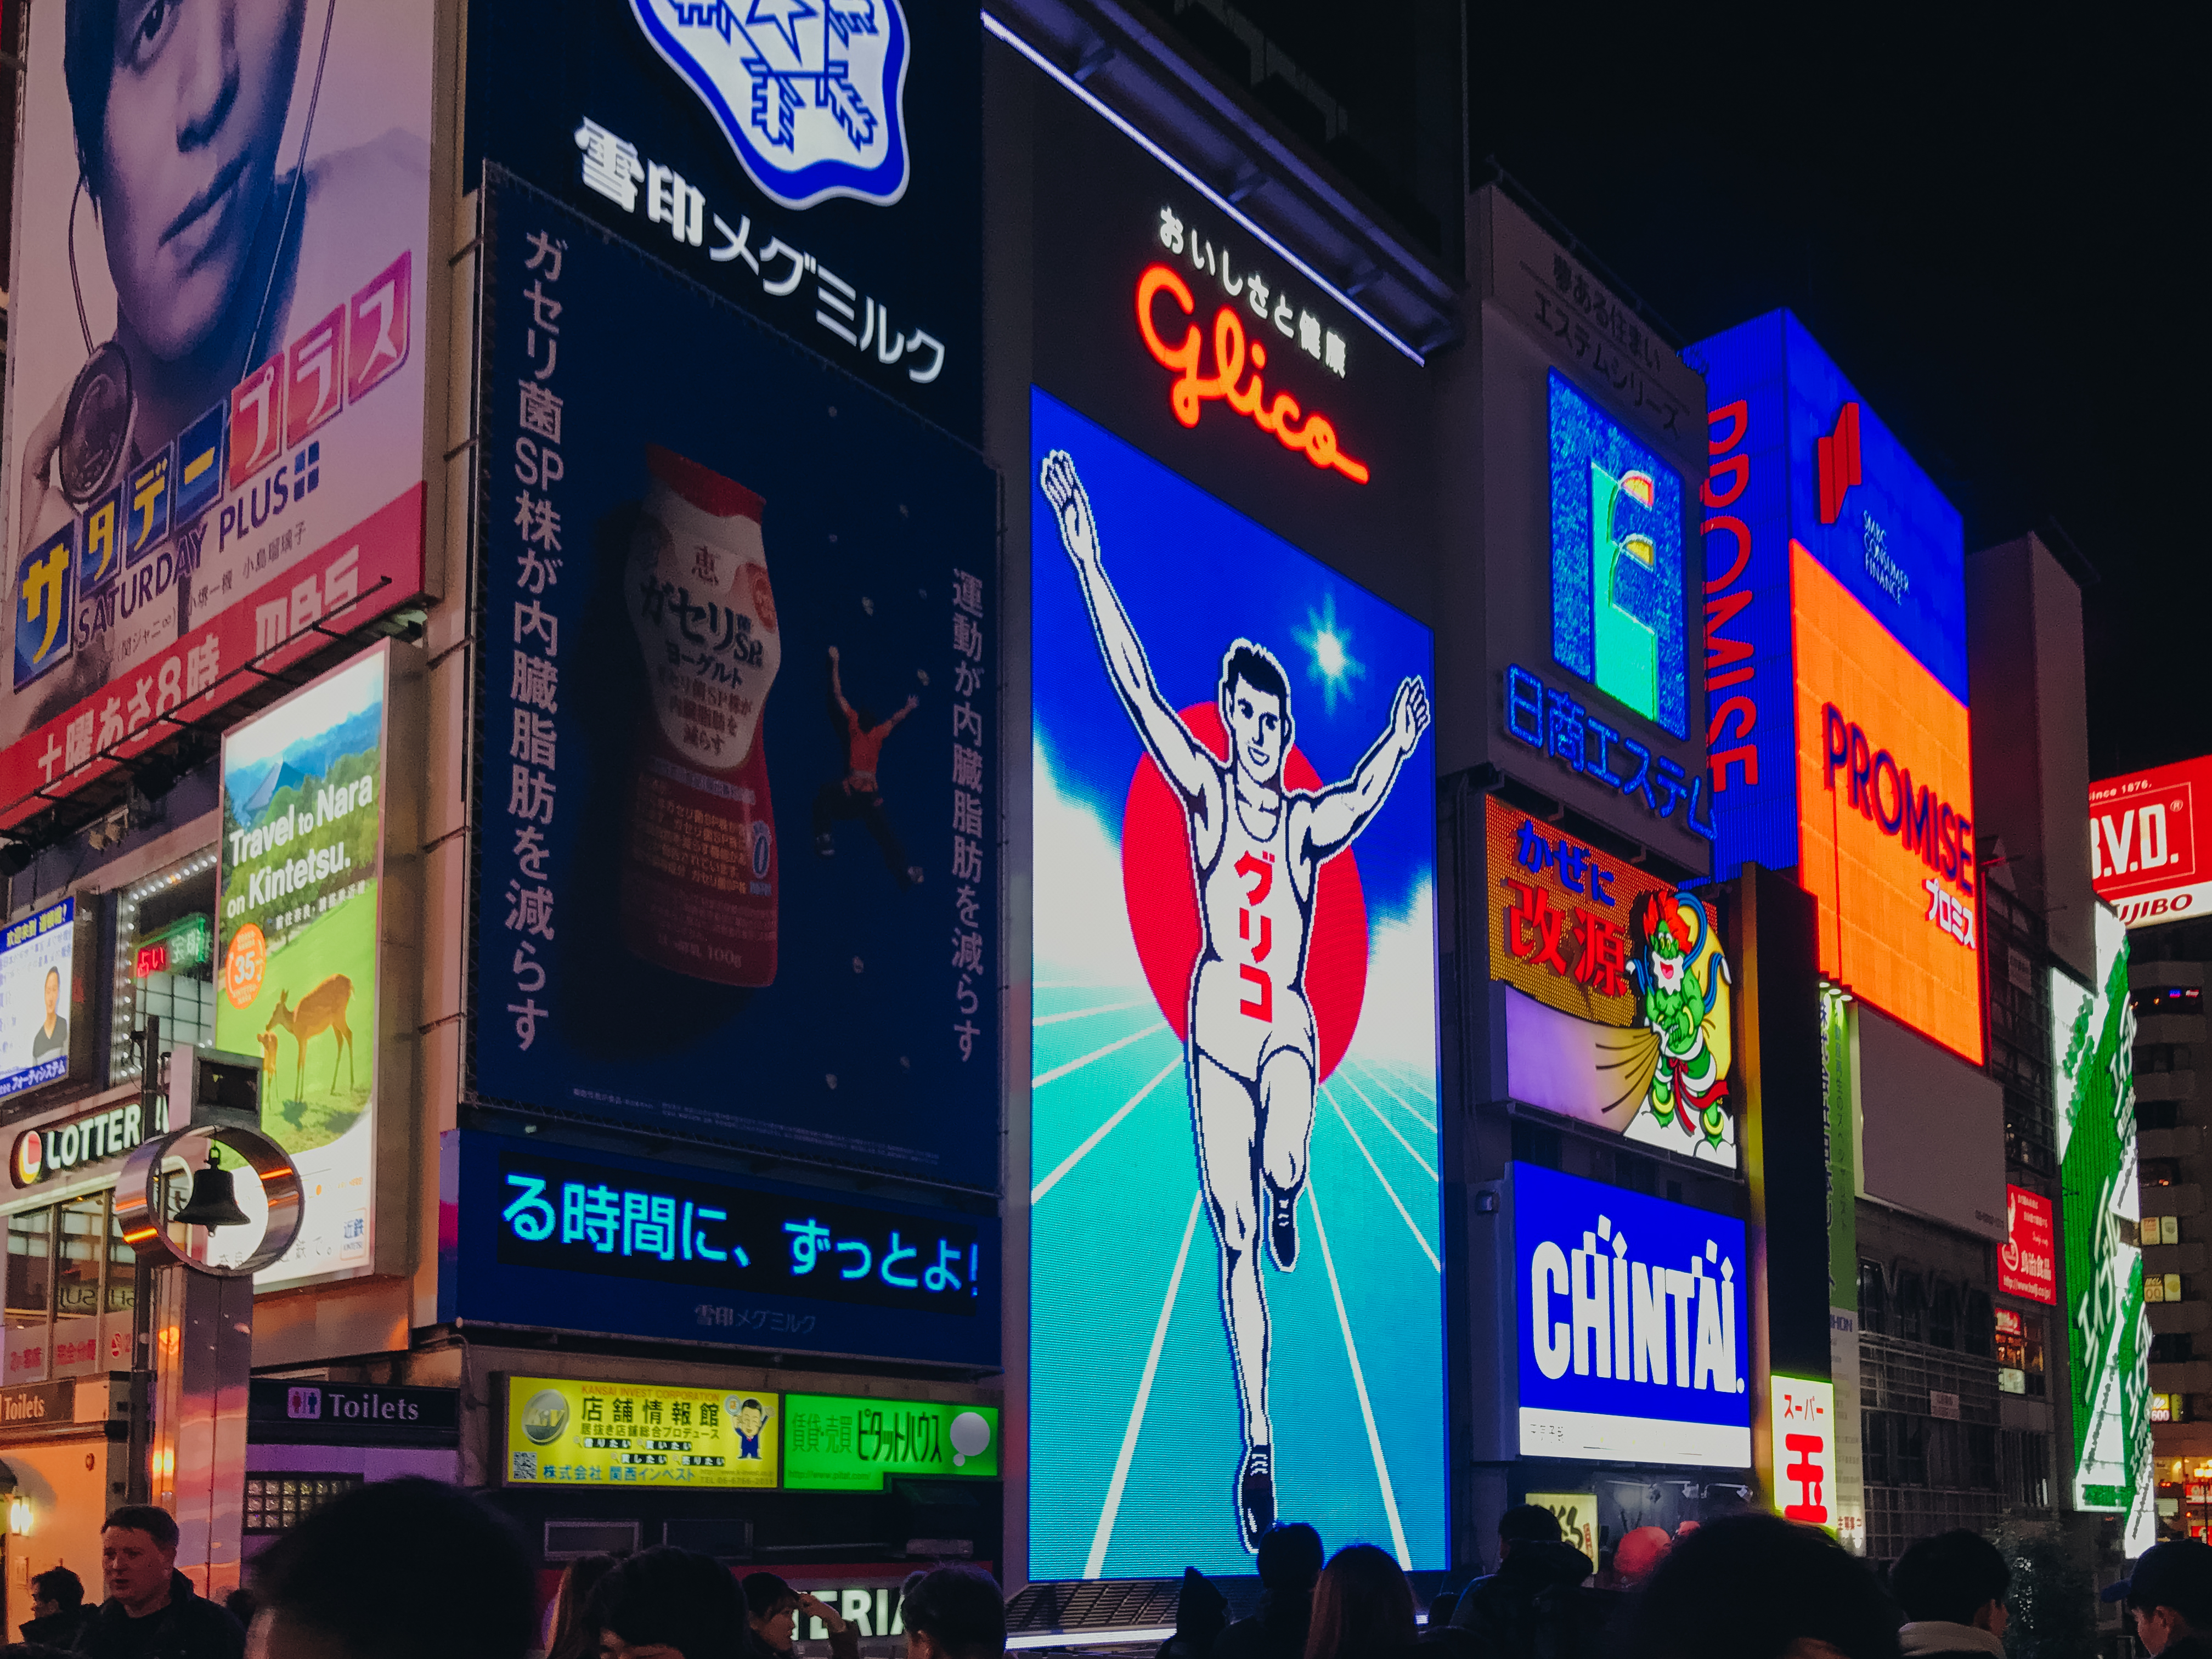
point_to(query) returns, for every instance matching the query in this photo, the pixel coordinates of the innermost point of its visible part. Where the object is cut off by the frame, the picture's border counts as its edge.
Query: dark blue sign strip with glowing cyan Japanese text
(547, 1238)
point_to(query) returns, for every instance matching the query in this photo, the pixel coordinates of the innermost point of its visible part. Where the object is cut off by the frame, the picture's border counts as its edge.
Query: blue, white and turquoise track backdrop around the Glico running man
(1134, 1397)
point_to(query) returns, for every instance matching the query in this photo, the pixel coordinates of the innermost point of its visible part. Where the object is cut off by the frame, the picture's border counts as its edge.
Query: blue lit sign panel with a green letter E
(1616, 563)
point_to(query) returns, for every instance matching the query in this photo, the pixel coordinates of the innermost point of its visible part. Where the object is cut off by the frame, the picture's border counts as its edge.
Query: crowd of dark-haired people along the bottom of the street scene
(413, 1569)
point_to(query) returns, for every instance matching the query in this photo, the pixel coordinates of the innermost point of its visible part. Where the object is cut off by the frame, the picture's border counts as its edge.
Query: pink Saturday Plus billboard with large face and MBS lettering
(216, 450)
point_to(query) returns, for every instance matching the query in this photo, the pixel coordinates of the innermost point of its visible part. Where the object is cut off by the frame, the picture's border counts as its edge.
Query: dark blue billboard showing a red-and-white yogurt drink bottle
(740, 853)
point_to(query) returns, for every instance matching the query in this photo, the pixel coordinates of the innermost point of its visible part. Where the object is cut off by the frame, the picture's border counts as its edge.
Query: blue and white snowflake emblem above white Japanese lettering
(811, 94)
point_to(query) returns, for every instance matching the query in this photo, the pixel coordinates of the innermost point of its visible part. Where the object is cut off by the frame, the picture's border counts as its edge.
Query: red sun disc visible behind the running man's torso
(1162, 897)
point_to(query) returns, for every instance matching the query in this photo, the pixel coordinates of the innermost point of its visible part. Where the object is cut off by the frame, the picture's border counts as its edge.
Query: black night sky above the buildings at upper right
(1994, 225)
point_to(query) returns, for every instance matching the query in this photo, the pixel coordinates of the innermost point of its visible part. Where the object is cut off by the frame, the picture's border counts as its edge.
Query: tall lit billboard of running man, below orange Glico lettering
(1235, 1036)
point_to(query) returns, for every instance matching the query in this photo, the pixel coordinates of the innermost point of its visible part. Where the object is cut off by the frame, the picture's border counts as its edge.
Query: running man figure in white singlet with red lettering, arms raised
(1258, 853)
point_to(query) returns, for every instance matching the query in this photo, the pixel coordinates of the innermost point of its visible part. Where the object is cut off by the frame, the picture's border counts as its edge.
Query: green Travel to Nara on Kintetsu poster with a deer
(298, 915)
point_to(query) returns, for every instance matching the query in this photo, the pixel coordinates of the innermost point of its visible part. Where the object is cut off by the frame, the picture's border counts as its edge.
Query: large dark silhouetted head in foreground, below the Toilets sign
(399, 1569)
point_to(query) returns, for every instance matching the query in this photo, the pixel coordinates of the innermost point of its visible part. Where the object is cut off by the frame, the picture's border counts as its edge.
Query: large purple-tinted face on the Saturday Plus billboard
(196, 112)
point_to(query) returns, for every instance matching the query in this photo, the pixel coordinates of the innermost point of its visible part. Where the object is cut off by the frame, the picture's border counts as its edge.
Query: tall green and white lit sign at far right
(2107, 1333)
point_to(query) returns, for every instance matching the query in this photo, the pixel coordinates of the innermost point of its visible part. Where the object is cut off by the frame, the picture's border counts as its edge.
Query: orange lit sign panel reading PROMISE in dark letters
(1886, 817)
